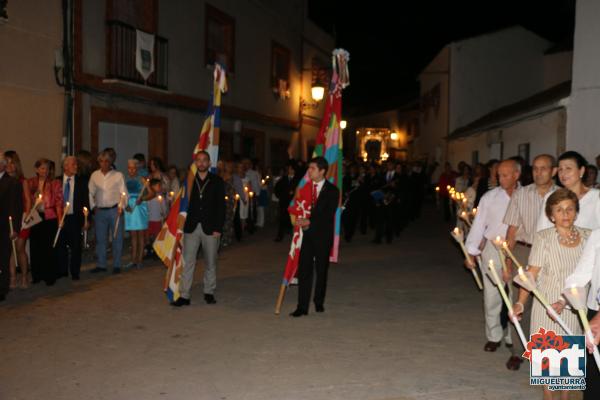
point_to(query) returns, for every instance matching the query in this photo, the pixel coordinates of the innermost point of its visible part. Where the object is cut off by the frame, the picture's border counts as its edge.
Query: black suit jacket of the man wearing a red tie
(322, 222)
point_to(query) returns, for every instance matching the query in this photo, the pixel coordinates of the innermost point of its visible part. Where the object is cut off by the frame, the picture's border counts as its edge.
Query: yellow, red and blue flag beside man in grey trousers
(168, 244)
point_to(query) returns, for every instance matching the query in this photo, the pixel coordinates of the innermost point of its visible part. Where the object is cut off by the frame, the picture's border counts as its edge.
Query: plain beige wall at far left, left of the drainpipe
(31, 103)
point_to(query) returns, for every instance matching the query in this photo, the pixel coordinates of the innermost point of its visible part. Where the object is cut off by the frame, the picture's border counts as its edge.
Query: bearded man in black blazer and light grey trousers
(203, 225)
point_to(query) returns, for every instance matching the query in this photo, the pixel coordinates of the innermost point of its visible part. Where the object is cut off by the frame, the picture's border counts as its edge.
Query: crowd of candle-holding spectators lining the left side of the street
(91, 199)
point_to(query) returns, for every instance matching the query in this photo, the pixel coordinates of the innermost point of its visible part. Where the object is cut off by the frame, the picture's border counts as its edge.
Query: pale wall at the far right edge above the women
(583, 127)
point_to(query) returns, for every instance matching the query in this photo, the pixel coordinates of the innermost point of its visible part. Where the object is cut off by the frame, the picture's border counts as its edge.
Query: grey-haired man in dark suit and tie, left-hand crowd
(76, 192)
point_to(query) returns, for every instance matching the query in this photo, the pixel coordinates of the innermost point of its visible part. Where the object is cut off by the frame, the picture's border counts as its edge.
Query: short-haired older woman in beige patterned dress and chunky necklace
(554, 256)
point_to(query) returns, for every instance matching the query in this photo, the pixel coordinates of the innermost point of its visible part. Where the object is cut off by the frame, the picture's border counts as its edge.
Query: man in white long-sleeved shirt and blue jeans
(108, 197)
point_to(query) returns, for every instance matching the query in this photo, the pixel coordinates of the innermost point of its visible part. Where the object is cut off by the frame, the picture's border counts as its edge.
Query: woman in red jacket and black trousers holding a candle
(44, 263)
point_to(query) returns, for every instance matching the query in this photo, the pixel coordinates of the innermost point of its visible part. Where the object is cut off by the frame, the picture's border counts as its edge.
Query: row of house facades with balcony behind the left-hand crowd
(272, 52)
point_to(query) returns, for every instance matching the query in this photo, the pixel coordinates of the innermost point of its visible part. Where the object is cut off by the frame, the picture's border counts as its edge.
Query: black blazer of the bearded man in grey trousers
(208, 211)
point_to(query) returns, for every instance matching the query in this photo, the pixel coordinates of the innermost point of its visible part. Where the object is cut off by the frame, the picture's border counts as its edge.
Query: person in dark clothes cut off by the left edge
(11, 205)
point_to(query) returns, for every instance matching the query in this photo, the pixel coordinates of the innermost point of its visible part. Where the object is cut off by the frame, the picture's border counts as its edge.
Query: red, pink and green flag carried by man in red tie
(329, 145)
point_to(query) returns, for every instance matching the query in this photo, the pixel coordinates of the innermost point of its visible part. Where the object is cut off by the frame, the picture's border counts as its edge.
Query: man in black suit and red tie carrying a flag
(318, 237)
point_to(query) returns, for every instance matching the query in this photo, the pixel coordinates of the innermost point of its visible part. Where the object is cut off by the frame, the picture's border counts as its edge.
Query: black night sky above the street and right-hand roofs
(391, 41)
